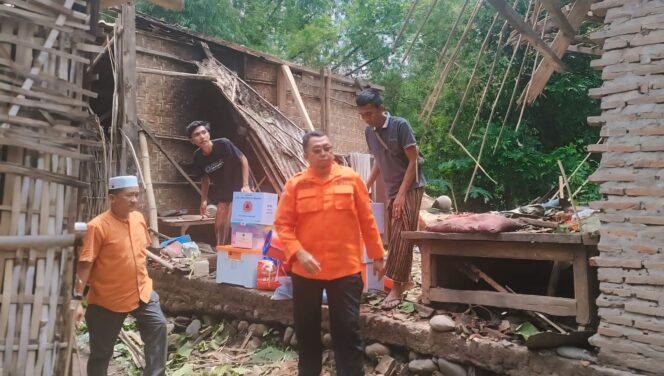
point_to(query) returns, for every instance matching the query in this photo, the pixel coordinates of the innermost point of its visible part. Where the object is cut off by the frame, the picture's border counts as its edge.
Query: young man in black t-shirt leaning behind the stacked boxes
(217, 162)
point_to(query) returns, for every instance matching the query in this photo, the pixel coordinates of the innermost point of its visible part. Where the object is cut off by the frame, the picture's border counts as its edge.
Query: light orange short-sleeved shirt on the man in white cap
(116, 248)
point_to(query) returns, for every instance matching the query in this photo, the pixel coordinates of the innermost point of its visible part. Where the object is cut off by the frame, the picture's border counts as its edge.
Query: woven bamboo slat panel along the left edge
(42, 107)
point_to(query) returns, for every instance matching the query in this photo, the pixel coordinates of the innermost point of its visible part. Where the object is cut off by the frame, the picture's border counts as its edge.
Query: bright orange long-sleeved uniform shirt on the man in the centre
(329, 219)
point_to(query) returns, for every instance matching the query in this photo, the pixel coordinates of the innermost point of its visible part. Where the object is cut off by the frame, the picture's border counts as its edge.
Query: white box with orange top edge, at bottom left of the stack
(237, 266)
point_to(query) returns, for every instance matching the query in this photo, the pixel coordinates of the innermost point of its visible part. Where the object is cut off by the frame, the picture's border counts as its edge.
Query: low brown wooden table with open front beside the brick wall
(573, 247)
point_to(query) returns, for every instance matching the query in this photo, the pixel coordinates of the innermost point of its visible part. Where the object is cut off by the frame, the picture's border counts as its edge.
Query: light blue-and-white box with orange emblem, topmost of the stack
(254, 208)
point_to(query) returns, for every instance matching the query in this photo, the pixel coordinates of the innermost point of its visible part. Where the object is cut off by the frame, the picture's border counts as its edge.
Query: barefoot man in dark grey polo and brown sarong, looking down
(392, 143)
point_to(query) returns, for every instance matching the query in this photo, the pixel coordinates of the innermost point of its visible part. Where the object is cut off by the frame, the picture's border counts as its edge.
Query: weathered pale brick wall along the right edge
(631, 260)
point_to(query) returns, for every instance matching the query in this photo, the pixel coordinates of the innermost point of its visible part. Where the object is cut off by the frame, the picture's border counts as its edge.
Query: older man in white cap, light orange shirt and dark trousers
(113, 262)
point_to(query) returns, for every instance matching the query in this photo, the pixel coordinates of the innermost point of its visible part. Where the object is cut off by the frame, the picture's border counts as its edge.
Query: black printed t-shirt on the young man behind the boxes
(223, 167)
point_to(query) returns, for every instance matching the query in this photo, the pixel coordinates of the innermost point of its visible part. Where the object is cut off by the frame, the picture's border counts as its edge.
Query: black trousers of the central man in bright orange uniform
(343, 297)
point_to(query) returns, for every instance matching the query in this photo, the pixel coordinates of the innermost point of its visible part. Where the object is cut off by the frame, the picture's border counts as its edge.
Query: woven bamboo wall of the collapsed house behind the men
(167, 104)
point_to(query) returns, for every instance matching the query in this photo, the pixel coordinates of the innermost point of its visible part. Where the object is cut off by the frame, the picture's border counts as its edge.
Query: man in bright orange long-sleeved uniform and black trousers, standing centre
(323, 218)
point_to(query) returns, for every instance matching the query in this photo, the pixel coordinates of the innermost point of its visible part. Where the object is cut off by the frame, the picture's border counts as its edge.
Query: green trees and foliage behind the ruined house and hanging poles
(358, 36)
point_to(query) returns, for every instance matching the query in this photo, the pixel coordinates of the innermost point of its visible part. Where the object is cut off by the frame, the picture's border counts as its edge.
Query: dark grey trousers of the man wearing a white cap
(104, 327)
